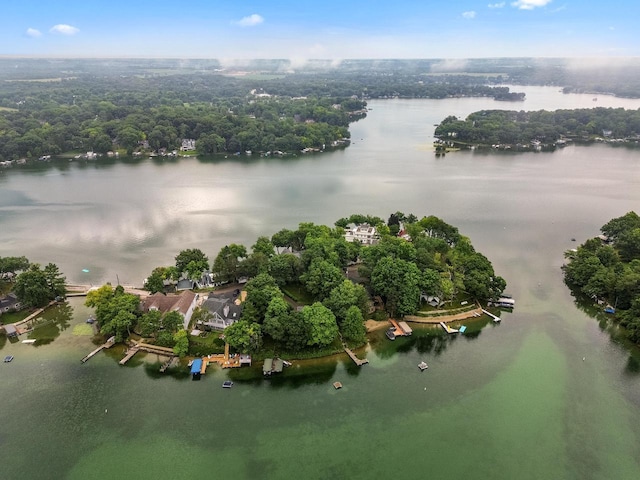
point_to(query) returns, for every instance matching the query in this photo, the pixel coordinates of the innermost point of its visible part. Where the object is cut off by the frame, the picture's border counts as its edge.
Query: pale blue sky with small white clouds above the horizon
(323, 29)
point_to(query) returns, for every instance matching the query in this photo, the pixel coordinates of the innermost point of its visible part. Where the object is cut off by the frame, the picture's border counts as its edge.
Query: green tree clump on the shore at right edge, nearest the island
(606, 269)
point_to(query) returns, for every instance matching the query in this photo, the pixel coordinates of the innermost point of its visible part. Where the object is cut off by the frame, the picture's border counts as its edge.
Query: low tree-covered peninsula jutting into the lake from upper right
(508, 127)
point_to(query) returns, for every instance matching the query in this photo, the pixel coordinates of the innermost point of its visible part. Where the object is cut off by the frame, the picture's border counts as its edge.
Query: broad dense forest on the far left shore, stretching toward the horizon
(89, 108)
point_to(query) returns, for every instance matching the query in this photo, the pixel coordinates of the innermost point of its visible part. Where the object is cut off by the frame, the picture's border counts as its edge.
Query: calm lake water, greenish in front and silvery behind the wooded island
(548, 393)
